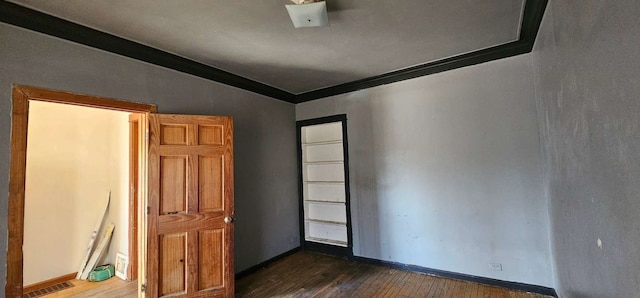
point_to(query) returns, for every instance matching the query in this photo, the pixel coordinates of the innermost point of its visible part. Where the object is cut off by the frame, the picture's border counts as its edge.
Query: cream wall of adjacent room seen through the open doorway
(75, 156)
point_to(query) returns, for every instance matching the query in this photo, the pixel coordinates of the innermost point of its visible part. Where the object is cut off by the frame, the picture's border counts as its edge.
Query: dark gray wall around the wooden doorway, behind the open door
(265, 157)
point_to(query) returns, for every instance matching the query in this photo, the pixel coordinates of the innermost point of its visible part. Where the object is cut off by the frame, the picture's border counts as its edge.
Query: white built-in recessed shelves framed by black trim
(323, 178)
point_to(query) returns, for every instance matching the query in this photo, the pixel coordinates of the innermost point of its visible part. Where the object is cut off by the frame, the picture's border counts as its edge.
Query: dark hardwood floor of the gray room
(306, 274)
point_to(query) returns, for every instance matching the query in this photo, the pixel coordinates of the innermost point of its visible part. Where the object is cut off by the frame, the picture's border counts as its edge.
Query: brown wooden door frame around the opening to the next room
(22, 96)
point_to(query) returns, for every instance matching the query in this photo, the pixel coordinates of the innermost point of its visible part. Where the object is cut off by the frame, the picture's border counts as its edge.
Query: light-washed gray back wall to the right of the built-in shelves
(446, 171)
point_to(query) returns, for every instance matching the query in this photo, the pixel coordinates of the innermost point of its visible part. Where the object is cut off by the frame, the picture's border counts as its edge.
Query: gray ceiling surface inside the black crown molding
(255, 39)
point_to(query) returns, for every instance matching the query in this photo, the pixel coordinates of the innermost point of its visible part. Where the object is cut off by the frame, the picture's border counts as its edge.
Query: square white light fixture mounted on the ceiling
(308, 13)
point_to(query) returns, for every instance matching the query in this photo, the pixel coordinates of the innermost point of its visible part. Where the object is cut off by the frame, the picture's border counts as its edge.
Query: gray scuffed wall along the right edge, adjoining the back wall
(587, 71)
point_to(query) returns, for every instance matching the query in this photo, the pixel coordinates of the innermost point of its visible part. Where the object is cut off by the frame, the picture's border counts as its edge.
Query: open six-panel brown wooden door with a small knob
(190, 229)
